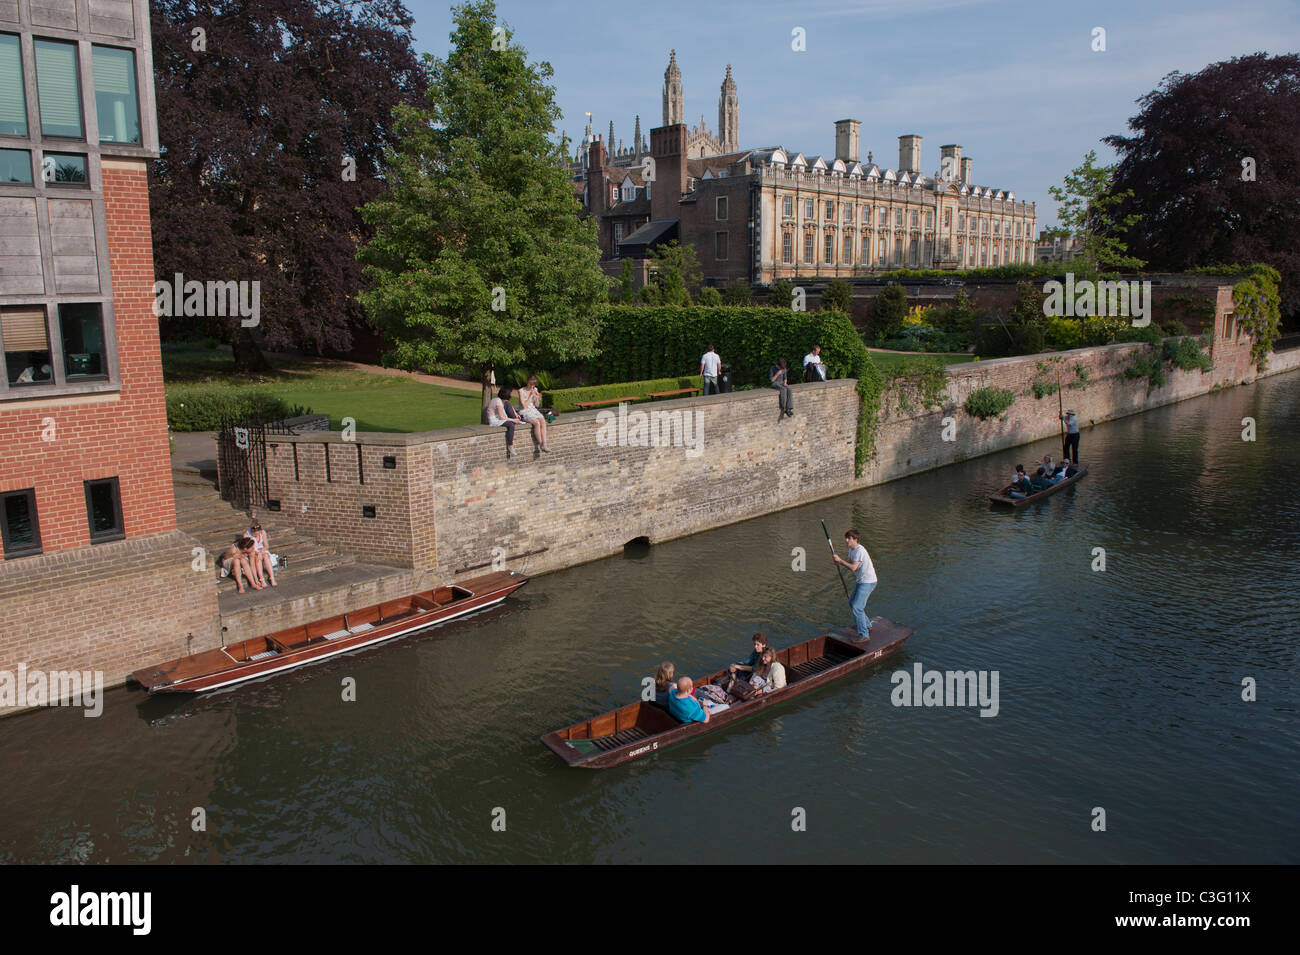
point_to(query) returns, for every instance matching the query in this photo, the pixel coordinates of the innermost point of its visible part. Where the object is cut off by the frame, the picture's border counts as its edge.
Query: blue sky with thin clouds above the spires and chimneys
(1017, 85)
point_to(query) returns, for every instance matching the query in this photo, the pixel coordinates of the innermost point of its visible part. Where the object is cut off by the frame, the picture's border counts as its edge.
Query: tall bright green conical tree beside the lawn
(480, 261)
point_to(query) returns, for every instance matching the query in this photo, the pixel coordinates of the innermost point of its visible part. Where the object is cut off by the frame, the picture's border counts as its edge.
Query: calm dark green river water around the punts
(1119, 691)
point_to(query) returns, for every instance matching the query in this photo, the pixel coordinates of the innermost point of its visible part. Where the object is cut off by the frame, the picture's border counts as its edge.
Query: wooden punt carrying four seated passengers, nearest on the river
(639, 730)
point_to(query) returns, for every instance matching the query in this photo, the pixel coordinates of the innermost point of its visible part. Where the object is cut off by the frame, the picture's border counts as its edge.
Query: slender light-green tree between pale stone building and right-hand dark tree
(1089, 210)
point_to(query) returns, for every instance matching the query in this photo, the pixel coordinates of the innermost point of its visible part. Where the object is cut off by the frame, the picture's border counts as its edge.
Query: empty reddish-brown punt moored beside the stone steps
(287, 650)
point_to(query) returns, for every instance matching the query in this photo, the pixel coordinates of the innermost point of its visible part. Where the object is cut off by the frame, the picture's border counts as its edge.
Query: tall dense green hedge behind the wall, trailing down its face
(661, 341)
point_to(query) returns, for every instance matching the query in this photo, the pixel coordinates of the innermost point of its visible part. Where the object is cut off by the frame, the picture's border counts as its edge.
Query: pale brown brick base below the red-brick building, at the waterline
(109, 607)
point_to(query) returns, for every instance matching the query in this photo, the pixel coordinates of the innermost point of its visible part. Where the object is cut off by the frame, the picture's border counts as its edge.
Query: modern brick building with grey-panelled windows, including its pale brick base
(89, 549)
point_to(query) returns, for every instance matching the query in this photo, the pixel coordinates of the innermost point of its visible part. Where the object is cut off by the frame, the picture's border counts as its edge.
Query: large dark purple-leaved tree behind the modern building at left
(272, 137)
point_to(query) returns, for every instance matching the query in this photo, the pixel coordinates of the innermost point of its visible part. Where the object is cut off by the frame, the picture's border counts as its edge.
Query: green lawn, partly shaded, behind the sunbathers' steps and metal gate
(379, 403)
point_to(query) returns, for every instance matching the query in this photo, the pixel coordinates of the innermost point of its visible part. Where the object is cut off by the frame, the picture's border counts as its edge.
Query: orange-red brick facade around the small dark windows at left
(119, 436)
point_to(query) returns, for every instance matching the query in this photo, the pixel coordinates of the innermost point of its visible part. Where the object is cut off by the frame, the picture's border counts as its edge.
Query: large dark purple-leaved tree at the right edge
(1185, 170)
